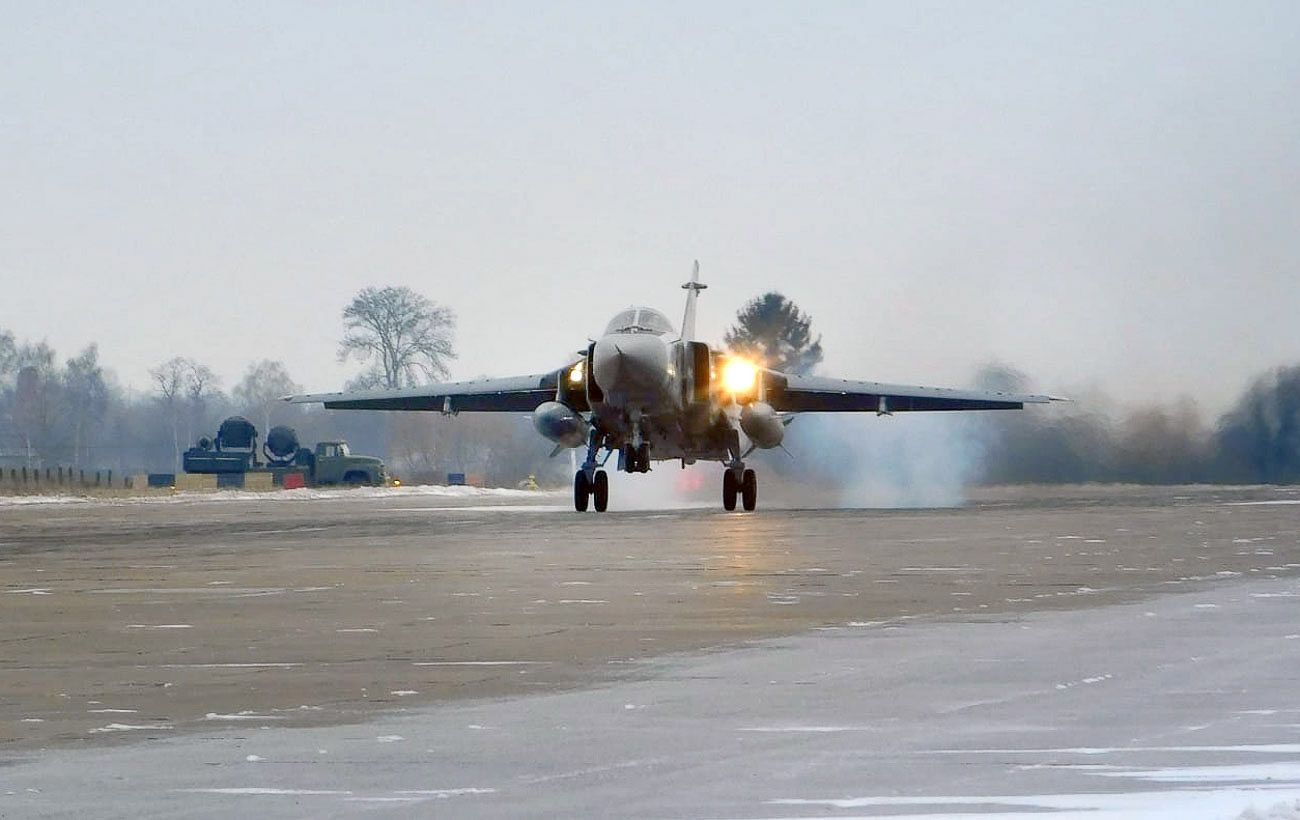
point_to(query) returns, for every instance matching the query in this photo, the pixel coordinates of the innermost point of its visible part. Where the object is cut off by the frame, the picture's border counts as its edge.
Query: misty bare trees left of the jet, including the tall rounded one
(75, 413)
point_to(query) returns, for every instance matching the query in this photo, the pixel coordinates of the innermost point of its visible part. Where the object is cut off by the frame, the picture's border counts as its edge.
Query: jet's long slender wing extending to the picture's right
(816, 394)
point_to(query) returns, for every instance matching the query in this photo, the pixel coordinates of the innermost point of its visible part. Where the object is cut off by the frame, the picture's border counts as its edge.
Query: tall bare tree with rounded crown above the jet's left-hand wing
(405, 339)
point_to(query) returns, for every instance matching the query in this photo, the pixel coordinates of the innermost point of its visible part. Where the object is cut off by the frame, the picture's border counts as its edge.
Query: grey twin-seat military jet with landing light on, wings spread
(652, 394)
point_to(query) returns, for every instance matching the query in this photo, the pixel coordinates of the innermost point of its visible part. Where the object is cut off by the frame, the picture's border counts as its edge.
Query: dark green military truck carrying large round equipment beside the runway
(233, 454)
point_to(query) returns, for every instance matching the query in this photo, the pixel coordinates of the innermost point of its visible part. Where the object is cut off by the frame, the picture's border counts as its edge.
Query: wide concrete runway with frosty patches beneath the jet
(1102, 653)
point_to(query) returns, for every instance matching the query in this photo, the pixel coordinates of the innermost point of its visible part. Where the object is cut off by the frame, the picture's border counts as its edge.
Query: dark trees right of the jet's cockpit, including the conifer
(1256, 441)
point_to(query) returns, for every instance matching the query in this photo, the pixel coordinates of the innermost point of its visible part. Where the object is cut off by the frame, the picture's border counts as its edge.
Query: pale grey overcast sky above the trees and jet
(1100, 194)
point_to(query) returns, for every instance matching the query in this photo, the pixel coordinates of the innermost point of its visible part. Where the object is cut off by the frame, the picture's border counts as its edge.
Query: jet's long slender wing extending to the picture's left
(518, 394)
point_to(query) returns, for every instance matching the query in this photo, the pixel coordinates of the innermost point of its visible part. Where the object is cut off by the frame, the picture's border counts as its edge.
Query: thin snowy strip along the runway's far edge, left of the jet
(285, 496)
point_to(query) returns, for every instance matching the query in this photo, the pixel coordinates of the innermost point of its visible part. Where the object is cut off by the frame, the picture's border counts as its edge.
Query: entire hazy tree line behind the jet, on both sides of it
(75, 413)
